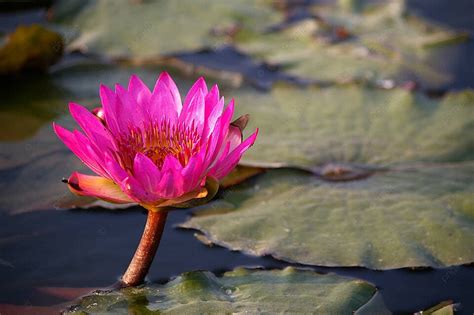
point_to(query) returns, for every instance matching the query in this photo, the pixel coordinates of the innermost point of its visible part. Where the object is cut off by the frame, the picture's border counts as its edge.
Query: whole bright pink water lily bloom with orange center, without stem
(150, 148)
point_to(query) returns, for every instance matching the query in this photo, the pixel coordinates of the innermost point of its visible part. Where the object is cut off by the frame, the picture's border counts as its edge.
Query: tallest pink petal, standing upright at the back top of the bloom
(165, 102)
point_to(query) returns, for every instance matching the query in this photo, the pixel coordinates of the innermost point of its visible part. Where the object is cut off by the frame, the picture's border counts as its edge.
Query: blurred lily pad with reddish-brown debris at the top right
(356, 42)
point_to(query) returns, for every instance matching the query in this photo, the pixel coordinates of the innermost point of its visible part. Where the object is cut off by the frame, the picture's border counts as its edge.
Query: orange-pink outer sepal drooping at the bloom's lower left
(96, 186)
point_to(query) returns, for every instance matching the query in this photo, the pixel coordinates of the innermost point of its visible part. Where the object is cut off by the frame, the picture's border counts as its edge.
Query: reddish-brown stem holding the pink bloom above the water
(141, 261)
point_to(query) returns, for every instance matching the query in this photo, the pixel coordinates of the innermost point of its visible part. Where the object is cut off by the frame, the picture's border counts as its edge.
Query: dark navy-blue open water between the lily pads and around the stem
(92, 248)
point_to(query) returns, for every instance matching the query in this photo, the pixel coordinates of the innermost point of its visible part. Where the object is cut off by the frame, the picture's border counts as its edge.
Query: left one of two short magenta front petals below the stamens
(146, 172)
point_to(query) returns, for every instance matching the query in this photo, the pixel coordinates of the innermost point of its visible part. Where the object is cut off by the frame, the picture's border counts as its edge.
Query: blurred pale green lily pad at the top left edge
(163, 27)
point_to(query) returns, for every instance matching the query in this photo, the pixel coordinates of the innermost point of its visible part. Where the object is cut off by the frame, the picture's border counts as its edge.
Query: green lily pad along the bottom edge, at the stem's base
(238, 291)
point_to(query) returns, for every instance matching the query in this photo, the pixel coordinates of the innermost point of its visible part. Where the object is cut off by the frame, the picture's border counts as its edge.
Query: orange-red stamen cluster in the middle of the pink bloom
(158, 140)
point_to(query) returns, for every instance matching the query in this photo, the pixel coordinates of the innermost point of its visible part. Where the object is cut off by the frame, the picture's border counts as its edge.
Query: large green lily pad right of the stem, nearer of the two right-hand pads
(418, 217)
